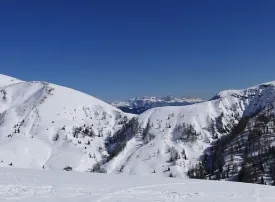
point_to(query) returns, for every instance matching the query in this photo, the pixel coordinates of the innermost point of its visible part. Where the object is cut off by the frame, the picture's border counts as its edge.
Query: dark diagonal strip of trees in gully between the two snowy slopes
(116, 143)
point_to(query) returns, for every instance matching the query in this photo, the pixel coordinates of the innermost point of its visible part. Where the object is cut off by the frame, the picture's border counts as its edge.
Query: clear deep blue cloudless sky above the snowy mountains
(115, 49)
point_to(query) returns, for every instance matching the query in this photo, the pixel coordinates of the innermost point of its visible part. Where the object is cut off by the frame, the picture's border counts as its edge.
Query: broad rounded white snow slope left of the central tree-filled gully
(47, 126)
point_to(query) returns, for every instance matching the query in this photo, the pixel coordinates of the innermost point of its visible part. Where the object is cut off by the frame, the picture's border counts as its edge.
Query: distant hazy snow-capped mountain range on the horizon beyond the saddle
(139, 105)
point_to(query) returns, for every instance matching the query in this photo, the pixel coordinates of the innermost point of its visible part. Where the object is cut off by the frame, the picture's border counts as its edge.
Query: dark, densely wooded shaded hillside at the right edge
(251, 139)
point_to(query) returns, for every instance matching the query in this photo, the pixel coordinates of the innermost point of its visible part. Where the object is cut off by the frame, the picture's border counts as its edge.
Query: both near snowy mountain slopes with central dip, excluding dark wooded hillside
(46, 126)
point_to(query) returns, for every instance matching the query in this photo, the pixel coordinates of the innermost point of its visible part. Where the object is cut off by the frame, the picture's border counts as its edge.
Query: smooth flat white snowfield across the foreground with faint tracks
(33, 185)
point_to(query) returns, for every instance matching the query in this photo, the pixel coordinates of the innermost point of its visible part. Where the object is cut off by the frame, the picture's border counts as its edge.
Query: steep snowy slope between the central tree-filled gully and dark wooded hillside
(170, 153)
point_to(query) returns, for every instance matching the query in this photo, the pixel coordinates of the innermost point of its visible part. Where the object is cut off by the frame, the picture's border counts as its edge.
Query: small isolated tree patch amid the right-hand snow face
(185, 132)
